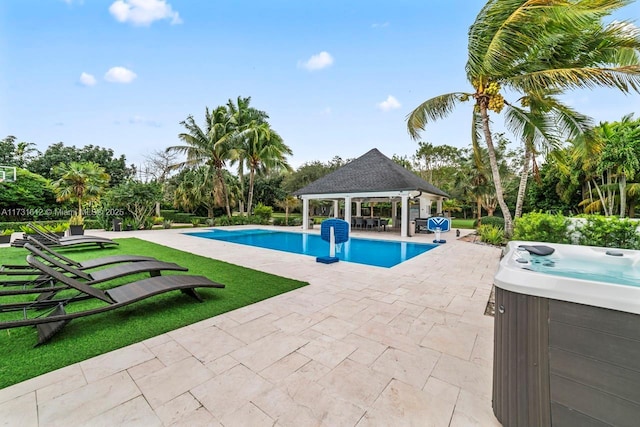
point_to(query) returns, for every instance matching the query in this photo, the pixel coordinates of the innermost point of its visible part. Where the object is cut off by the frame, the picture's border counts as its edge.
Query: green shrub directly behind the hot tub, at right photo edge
(610, 232)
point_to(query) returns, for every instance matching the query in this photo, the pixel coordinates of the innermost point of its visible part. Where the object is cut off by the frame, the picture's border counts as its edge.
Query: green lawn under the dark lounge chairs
(93, 335)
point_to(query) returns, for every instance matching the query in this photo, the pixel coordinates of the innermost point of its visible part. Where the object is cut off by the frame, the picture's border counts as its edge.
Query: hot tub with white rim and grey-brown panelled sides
(567, 336)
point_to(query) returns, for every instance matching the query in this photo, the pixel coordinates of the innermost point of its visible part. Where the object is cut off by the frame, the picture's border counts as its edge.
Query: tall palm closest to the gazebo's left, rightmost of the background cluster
(263, 150)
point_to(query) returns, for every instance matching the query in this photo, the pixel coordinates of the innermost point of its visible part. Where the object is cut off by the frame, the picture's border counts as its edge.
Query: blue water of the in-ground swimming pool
(381, 253)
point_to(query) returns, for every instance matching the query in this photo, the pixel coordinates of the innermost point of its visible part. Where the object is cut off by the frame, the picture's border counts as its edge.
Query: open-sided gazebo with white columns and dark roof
(373, 177)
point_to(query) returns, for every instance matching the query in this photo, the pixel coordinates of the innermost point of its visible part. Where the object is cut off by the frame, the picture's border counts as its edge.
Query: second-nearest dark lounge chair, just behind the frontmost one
(46, 288)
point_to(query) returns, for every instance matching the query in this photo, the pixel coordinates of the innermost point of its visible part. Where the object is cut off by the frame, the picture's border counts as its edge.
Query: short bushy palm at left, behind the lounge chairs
(79, 182)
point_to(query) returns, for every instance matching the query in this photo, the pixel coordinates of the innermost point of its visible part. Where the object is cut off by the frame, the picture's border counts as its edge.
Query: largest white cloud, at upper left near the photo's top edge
(143, 12)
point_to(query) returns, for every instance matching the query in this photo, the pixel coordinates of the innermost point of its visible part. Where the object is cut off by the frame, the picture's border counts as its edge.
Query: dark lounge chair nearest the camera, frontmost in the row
(115, 298)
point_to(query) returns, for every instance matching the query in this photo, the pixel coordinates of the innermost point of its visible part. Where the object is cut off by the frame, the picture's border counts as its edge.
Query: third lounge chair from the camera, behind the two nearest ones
(21, 270)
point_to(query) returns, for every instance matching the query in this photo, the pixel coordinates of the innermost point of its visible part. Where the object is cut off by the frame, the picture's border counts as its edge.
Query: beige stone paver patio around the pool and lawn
(359, 346)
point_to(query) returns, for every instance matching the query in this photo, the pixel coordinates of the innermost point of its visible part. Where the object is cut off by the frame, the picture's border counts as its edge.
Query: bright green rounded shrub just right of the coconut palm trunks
(542, 227)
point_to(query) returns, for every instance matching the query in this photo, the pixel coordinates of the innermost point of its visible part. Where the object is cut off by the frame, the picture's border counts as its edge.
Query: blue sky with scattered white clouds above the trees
(336, 77)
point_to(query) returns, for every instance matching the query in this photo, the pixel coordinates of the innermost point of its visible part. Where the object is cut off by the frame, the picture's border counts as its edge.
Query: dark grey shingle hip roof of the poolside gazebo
(371, 172)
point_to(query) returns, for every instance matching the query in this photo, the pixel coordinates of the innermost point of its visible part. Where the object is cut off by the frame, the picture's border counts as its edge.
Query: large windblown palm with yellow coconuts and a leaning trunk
(530, 47)
